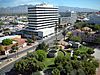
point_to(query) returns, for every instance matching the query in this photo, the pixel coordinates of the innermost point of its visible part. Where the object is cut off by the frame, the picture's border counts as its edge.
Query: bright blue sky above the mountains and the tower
(93, 4)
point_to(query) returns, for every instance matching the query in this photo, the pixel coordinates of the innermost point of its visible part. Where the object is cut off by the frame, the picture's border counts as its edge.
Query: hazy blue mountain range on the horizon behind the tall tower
(23, 9)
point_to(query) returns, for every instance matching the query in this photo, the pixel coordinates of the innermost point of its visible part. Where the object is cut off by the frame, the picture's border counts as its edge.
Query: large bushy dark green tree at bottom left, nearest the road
(28, 65)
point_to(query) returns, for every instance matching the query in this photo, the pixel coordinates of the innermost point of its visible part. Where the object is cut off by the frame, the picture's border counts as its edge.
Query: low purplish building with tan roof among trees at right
(86, 35)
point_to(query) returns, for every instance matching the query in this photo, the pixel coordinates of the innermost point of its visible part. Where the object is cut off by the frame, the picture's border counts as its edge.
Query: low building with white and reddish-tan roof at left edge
(17, 41)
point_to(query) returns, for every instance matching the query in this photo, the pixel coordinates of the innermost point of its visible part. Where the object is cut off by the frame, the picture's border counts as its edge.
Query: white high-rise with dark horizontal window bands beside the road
(42, 20)
